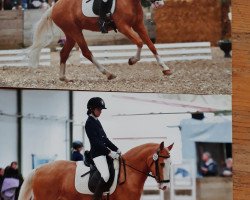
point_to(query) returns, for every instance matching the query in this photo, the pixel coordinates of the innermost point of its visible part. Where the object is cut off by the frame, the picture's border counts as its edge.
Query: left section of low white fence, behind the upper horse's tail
(17, 58)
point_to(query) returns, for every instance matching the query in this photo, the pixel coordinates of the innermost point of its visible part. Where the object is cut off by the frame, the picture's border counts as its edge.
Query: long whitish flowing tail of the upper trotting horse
(42, 36)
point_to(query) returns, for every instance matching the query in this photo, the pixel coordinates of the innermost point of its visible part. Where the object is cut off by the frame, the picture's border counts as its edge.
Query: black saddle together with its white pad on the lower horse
(87, 176)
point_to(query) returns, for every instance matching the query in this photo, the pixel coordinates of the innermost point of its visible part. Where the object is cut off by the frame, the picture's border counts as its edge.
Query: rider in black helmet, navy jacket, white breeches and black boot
(101, 146)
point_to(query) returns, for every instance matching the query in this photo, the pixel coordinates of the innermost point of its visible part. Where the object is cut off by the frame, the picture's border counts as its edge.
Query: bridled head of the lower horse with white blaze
(159, 164)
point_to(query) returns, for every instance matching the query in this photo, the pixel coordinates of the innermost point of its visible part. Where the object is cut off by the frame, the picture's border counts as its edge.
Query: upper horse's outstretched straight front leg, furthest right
(141, 30)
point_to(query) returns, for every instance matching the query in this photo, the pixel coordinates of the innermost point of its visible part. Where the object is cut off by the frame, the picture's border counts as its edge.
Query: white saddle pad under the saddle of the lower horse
(81, 183)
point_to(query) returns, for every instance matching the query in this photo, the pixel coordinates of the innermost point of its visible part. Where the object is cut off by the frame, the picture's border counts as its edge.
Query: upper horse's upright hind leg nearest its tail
(64, 55)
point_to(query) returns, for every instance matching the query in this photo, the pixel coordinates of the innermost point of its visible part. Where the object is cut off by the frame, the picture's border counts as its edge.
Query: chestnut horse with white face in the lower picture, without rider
(55, 181)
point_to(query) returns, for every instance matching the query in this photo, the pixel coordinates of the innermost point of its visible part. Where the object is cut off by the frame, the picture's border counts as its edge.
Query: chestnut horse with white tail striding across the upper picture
(67, 15)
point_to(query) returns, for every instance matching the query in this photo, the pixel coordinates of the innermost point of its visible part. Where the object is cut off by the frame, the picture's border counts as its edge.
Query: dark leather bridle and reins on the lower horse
(155, 161)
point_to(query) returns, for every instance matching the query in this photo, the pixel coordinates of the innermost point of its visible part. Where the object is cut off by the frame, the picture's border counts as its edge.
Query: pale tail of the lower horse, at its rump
(26, 191)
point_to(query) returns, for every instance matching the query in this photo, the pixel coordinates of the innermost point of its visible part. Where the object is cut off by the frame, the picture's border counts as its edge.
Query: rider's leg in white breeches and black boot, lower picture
(102, 166)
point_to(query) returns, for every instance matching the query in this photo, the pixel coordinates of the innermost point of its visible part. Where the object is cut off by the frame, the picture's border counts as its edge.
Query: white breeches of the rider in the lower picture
(102, 166)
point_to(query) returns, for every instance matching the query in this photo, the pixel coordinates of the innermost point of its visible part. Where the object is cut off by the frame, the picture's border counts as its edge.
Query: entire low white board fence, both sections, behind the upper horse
(118, 54)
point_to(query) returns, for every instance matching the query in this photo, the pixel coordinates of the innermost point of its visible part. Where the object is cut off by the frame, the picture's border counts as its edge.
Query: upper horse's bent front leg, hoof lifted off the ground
(128, 31)
